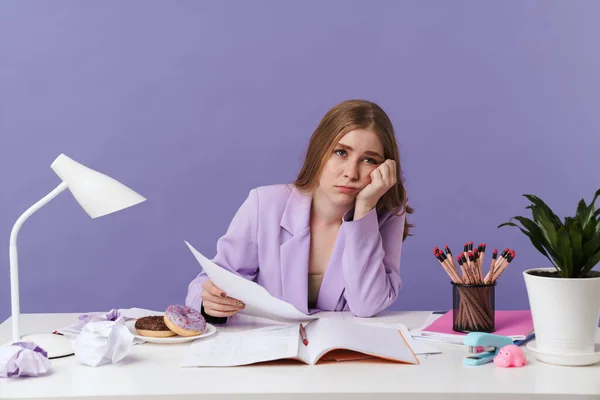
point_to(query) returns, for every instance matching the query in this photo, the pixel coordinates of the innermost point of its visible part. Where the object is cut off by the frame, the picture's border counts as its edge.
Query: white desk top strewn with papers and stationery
(152, 371)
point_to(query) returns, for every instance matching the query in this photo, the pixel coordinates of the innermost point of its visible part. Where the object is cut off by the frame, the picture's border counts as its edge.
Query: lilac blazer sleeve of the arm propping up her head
(371, 262)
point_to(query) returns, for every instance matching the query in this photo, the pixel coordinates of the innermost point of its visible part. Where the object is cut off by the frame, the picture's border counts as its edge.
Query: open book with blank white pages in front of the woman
(327, 338)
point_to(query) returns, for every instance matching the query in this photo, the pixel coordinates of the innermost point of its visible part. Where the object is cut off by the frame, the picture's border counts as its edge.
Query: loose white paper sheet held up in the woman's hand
(258, 300)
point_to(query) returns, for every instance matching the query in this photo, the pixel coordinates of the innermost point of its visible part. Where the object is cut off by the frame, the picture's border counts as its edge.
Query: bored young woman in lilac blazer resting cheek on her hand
(333, 239)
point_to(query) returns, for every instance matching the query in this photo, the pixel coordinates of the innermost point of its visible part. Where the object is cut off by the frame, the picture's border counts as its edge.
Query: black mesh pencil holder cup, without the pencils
(473, 309)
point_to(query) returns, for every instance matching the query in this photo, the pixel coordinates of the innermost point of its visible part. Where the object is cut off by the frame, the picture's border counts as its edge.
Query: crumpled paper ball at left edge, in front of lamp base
(23, 359)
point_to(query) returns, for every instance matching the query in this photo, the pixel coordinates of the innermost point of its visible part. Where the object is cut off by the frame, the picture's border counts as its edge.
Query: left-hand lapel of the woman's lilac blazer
(295, 250)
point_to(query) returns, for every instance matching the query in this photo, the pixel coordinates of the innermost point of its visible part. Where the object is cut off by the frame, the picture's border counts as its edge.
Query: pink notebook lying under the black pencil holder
(516, 324)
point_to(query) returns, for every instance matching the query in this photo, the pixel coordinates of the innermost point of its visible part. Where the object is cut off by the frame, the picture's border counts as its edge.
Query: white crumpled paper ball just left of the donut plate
(103, 342)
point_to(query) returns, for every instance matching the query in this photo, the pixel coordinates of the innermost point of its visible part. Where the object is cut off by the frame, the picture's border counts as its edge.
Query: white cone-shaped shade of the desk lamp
(97, 193)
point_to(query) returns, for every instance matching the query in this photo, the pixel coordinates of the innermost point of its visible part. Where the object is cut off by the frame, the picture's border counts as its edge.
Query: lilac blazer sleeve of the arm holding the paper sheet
(237, 252)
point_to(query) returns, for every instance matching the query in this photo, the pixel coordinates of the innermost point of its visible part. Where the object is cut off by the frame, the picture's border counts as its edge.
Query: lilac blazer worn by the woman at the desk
(268, 241)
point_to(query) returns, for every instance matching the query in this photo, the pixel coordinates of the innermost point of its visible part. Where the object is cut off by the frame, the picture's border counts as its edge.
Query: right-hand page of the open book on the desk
(328, 334)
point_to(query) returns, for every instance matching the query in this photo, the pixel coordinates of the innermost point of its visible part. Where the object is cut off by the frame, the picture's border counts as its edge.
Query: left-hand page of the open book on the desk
(226, 349)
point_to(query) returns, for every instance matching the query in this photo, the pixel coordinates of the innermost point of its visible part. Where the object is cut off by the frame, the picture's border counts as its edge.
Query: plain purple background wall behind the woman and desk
(193, 103)
